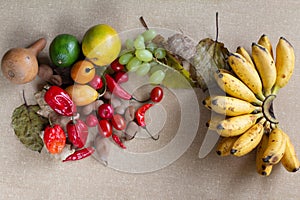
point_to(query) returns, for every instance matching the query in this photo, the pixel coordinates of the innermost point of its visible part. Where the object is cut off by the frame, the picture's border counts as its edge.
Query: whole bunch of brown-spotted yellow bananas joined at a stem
(245, 119)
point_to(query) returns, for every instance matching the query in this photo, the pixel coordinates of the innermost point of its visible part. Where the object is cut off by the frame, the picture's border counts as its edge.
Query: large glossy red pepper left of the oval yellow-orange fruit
(59, 100)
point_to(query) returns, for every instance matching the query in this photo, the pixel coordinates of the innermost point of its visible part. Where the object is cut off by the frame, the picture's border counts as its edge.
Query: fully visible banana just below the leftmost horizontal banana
(237, 125)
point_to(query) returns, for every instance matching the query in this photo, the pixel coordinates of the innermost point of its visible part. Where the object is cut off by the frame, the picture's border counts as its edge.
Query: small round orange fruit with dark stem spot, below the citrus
(83, 71)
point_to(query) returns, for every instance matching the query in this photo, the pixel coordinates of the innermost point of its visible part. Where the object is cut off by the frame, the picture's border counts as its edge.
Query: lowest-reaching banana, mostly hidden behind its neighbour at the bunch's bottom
(261, 167)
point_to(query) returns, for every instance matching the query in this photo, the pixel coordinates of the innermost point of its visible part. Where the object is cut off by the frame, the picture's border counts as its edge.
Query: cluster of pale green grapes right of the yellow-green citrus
(141, 55)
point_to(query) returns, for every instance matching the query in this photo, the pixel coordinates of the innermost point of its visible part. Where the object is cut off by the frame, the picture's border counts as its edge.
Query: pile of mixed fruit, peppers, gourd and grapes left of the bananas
(87, 94)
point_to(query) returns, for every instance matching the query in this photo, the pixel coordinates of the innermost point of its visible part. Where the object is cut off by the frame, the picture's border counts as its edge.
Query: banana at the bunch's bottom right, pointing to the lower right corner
(289, 160)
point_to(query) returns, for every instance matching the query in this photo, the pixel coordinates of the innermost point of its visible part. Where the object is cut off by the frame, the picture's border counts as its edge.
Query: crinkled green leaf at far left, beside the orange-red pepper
(28, 125)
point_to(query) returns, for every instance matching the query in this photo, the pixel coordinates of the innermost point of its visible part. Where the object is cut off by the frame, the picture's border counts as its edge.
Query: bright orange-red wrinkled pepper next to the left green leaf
(54, 138)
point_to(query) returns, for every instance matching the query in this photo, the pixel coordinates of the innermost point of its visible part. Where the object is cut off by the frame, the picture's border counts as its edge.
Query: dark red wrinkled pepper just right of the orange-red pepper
(77, 132)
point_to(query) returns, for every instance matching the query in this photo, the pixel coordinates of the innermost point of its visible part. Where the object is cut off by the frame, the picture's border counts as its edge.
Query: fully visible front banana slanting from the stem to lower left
(249, 140)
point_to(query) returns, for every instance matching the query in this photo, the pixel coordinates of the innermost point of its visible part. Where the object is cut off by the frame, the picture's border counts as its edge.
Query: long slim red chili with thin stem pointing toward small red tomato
(117, 90)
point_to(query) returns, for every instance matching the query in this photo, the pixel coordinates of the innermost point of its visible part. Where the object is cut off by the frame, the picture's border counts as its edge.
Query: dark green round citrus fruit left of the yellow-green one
(64, 50)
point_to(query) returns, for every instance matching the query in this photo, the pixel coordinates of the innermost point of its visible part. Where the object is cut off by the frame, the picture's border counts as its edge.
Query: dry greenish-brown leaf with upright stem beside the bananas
(210, 56)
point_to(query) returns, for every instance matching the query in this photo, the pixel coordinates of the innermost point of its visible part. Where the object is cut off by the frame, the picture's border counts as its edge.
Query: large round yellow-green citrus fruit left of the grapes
(101, 44)
